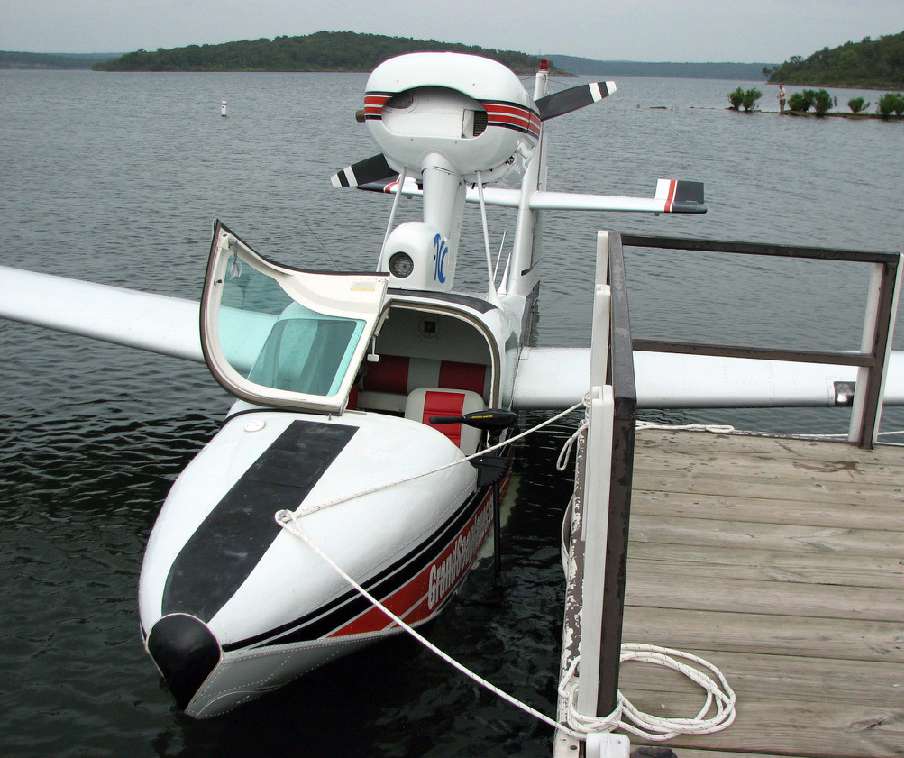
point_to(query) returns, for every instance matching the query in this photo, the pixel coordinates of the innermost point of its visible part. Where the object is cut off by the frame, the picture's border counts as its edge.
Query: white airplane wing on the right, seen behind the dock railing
(673, 380)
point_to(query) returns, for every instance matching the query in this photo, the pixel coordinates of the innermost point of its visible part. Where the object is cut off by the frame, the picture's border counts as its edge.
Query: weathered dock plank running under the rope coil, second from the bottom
(760, 677)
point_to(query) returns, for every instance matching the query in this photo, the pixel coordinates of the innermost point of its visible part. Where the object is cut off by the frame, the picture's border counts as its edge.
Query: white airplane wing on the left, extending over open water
(161, 324)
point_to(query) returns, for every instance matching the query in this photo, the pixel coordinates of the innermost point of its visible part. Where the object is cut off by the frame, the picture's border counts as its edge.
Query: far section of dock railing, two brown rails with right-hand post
(872, 359)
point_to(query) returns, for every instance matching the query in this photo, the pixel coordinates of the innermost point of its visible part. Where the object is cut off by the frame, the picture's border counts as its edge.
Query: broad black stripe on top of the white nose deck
(230, 542)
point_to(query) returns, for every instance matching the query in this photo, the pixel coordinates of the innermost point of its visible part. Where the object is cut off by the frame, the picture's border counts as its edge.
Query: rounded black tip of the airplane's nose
(185, 651)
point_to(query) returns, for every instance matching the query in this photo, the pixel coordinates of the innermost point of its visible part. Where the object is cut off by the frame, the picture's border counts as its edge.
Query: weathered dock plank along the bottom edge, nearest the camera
(781, 727)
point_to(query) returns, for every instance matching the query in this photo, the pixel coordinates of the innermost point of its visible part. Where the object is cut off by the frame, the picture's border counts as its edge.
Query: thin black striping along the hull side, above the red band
(343, 609)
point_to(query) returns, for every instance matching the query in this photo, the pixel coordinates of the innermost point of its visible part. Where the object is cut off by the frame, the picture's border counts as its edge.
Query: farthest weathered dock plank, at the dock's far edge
(778, 447)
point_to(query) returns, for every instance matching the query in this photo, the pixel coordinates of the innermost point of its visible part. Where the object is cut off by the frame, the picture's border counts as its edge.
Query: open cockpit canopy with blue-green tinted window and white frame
(278, 336)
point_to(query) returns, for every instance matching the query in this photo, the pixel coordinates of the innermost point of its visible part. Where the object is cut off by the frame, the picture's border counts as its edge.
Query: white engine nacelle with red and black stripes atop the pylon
(472, 111)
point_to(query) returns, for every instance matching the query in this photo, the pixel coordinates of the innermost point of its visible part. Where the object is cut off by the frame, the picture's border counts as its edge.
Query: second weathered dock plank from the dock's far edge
(649, 477)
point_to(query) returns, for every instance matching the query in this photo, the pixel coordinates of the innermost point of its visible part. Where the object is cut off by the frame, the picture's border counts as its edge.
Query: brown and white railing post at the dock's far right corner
(878, 330)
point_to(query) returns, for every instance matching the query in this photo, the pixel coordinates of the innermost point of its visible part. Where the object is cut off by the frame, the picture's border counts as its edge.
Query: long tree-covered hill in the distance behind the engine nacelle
(321, 51)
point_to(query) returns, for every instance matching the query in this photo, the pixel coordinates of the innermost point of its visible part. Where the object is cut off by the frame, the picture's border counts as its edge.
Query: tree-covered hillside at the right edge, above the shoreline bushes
(871, 63)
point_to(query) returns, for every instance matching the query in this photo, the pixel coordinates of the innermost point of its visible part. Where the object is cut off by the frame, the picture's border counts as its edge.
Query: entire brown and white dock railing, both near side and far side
(597, 538)
